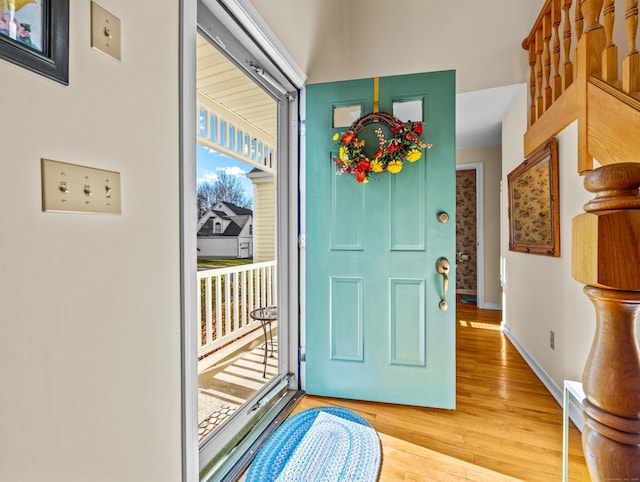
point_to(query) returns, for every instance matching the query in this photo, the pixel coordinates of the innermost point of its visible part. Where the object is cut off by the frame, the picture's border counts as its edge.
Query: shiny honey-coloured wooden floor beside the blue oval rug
(506, 425)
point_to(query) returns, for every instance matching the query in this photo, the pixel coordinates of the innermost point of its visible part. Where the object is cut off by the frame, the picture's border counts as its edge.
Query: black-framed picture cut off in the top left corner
(34, 34)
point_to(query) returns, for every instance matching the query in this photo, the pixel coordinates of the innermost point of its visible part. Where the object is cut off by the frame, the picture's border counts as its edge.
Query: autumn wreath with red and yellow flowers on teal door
(403, 144)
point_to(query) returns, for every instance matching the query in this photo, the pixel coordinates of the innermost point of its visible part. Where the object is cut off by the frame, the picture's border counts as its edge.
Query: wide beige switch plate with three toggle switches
(79, 189)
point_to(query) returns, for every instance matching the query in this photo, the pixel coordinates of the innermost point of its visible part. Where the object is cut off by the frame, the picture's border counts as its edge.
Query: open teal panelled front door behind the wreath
(374, 327)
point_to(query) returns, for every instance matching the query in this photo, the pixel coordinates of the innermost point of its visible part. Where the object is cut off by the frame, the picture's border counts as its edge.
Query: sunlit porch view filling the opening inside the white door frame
(237, 269)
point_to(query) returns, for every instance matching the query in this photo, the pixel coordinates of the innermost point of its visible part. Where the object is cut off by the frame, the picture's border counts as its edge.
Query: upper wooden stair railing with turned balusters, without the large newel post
(583, 83)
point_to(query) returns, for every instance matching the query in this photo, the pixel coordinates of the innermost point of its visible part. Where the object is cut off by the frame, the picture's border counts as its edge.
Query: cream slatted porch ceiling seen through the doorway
(222, 82)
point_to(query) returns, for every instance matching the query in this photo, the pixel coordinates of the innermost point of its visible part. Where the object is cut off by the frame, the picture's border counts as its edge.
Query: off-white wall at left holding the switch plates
(90, 306)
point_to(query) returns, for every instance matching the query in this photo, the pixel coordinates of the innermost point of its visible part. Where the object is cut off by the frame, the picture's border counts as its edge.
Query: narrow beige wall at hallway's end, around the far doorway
(491, 158)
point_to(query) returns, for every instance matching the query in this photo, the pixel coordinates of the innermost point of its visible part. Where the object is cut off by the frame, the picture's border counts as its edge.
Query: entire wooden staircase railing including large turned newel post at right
(584, 84)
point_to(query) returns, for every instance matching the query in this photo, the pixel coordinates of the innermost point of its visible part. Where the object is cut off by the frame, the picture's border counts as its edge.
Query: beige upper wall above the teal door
(339, 40)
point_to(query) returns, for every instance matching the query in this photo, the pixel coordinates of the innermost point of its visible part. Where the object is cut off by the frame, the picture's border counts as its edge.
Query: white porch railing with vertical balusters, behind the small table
(225, 299)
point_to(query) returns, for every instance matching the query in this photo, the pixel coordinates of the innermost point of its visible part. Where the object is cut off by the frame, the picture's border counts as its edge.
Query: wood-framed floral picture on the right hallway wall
(534, 203)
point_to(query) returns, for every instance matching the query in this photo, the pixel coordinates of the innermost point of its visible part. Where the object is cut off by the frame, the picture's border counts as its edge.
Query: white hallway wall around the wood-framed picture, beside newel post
(540, 294)
